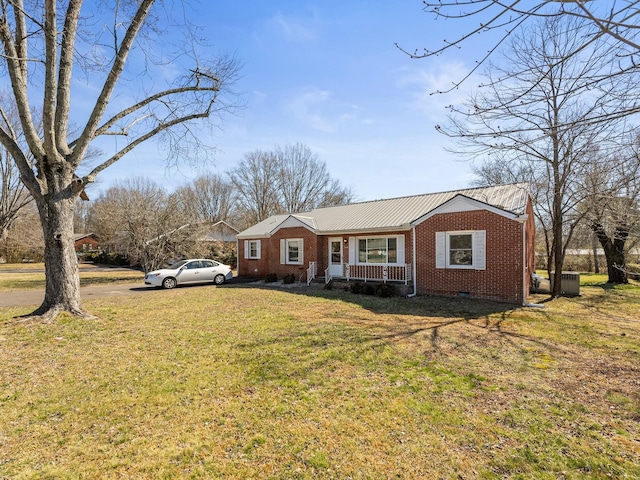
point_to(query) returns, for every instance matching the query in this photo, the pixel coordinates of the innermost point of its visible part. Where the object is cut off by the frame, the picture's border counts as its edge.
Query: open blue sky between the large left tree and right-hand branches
(327, 74)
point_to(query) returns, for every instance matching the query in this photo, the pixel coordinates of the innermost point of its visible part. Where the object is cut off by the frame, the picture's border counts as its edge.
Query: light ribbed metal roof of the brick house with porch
(394, 213)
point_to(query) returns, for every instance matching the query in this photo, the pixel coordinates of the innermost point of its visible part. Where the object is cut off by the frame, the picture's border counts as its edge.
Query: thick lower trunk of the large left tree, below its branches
(62, 291)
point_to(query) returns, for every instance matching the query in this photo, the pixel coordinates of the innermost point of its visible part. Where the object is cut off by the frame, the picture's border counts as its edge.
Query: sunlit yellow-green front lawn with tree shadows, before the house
(240, 382)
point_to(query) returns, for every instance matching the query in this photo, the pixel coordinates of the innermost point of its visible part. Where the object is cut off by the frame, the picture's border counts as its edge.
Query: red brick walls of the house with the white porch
(503, 278)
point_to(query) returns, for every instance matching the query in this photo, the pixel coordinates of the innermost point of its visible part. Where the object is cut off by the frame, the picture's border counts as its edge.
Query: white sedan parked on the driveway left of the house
(197, 270)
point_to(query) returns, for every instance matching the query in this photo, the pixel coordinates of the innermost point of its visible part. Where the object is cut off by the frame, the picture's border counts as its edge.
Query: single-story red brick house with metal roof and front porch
(476, 242)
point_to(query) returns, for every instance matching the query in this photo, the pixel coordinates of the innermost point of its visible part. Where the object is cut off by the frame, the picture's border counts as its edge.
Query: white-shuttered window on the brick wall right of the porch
(465, 249)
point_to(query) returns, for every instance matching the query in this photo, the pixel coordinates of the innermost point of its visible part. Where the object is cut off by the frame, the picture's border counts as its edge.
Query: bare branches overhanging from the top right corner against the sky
(615, 21)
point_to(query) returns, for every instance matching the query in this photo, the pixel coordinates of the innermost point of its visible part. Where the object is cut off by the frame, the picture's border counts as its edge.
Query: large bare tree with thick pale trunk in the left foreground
(47, 44)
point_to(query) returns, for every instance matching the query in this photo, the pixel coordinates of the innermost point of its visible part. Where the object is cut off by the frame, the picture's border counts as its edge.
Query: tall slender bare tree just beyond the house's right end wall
(535, 110)
